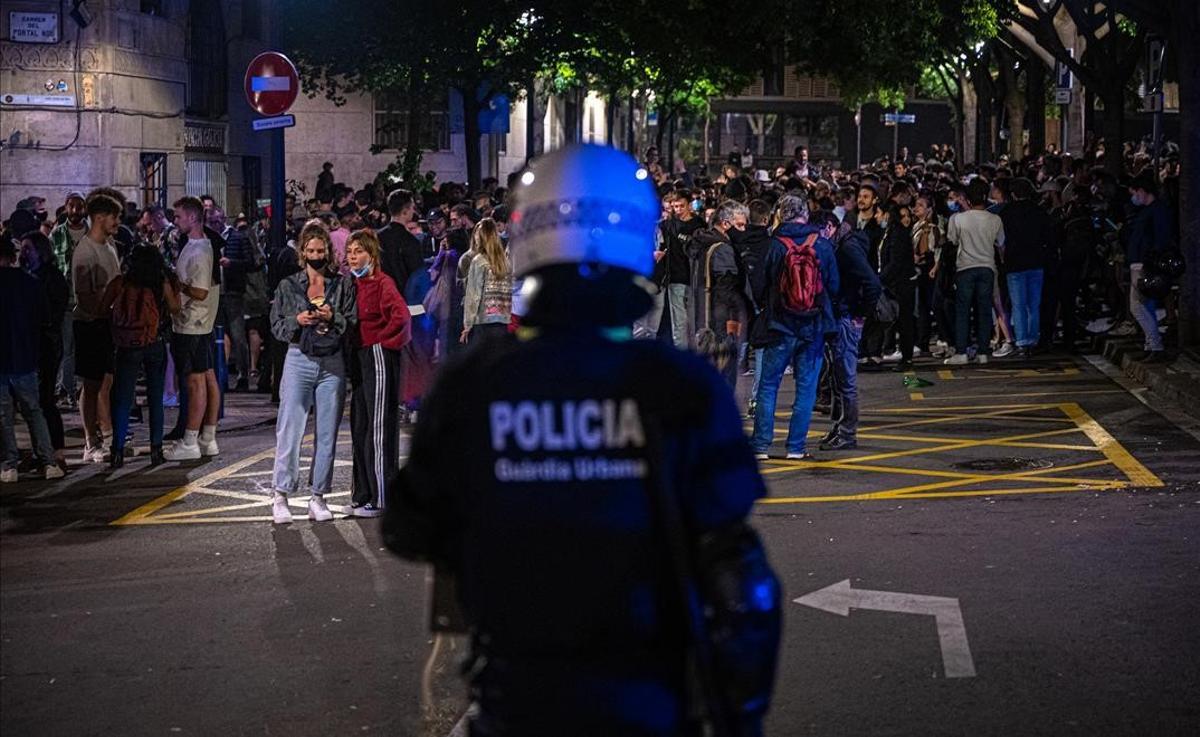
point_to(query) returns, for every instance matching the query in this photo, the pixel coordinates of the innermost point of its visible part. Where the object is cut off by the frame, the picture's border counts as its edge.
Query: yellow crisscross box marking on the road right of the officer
(1067, 418)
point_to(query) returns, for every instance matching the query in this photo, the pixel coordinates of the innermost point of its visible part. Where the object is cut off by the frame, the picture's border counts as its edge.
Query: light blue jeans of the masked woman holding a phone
(309, 382)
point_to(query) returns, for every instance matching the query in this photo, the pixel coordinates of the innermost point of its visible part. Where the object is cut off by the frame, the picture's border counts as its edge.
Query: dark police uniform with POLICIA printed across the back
(530, 478)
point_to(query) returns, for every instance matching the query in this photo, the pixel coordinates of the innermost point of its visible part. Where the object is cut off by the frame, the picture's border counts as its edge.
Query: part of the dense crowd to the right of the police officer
(821, 272)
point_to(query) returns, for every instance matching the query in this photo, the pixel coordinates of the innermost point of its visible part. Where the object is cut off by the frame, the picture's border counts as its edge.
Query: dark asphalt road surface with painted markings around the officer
(1034, 529)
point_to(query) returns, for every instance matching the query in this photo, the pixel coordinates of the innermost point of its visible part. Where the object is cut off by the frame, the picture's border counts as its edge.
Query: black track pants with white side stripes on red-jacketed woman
(375, 424)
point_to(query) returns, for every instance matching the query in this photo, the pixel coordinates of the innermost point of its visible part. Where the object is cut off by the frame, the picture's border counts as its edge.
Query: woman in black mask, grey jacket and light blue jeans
(311, 313)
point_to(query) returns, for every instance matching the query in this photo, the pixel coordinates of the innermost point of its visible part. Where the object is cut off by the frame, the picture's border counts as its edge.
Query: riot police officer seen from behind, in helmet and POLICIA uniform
(590, 493)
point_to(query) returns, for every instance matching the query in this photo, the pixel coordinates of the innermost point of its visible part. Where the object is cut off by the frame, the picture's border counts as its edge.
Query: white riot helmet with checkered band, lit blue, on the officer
(584, 205)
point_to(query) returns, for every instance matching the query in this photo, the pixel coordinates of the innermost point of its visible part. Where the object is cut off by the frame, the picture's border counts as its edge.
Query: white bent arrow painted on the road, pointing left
(841, 598)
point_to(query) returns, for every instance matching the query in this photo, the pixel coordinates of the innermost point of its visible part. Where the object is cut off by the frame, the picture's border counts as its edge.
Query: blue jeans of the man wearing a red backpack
(806, 359)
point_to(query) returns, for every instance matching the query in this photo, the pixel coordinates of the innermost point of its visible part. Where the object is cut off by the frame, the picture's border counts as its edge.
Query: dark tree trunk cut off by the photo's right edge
(1187, 28)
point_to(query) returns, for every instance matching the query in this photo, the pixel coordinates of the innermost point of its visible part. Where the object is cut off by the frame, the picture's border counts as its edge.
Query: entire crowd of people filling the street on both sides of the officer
(806, 269)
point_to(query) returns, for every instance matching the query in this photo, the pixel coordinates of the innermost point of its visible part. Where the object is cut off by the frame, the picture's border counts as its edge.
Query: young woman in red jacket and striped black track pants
(385, 328)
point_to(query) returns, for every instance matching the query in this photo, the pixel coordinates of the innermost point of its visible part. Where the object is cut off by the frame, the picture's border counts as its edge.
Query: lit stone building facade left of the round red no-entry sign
(147, 98)
